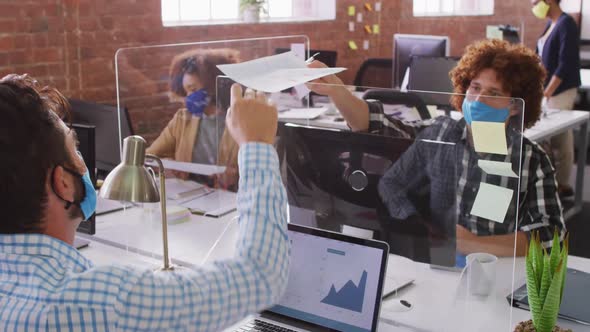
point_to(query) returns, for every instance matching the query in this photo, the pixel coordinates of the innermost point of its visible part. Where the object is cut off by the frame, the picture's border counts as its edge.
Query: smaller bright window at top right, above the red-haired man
(453, 7)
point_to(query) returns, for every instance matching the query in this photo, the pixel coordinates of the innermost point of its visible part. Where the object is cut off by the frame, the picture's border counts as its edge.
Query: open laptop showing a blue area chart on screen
(335, 283)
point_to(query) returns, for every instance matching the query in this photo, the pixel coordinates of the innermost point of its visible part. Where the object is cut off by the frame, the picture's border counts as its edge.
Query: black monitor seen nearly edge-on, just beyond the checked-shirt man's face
(87, 147)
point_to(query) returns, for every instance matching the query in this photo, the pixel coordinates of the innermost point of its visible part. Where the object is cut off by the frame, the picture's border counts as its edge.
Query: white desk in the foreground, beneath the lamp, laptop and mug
(435, 304)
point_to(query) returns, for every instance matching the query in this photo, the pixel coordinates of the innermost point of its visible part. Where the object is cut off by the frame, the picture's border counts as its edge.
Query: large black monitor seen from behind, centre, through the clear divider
(332, 181)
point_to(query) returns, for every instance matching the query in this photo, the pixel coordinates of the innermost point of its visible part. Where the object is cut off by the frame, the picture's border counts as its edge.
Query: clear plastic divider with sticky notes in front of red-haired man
(433, 189)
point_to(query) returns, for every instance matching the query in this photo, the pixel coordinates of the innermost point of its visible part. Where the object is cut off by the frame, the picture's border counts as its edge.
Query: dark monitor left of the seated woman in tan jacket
(106, 120)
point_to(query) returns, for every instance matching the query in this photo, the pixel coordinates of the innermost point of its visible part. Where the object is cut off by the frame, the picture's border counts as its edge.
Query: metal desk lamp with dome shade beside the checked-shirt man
(130, 181)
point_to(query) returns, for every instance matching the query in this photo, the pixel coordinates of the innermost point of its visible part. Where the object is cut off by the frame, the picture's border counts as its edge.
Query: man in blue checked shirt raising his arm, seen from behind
(46, 285)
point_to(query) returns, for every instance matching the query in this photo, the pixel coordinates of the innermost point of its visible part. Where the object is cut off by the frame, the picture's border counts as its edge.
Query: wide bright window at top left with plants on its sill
(302, 11)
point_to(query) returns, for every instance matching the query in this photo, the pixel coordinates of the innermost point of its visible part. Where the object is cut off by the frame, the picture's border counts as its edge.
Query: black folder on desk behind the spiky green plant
(574, 304)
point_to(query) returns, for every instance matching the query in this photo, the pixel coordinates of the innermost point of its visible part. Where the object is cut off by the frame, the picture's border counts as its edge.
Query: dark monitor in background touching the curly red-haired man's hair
(432, 74)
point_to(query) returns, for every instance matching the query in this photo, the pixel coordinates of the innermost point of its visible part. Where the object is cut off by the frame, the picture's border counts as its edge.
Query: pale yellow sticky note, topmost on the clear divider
(489, 137)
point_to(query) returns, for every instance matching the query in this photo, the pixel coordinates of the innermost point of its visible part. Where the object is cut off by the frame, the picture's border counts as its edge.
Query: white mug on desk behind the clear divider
(481, 273)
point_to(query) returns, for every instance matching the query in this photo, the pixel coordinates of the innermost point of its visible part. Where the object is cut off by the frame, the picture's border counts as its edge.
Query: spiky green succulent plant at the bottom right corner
(545, 279)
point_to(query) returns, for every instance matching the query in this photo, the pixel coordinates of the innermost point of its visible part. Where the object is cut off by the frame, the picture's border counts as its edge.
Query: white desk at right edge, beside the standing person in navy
(557, 122)
